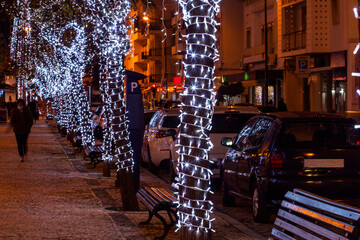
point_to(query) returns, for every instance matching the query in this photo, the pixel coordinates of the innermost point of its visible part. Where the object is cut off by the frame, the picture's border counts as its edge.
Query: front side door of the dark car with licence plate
(232, 157)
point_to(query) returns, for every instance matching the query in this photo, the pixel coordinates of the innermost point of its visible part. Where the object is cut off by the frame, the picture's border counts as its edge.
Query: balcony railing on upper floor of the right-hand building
(294, 41)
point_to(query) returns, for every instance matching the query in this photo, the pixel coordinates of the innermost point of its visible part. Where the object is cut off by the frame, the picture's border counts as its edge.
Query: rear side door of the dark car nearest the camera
(250, 154)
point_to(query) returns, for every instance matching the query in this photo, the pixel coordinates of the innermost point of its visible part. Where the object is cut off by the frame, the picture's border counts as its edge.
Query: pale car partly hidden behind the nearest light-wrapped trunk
(226, 122)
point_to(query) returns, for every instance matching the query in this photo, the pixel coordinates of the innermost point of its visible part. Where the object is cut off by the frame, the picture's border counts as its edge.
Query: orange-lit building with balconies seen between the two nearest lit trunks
(157, 50)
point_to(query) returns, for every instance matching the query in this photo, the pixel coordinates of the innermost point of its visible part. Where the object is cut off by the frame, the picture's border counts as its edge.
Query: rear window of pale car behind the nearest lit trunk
(229, 122)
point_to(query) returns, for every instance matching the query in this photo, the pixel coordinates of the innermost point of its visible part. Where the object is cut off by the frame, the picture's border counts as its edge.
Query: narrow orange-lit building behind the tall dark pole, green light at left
(254, 52)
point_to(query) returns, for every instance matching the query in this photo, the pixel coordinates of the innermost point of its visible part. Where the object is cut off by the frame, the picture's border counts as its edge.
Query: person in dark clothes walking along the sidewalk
(21, 121)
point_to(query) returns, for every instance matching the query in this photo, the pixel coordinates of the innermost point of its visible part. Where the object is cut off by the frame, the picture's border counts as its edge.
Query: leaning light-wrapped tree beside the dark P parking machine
(111, 35)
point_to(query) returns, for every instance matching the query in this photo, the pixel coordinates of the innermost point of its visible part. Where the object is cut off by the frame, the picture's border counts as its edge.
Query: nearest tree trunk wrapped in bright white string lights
(198, 102)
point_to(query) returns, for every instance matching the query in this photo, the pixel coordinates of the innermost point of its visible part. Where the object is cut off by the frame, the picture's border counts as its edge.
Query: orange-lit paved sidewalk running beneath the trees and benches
(53, 195)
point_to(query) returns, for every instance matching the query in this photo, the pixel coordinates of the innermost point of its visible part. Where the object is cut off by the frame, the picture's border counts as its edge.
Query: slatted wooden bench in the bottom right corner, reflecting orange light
(304, 215)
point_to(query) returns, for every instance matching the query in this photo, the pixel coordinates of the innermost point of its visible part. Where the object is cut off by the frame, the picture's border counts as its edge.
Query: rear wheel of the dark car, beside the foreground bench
(261, 213)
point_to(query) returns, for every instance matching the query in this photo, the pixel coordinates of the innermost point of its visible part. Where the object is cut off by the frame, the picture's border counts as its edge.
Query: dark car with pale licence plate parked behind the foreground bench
(277, 152)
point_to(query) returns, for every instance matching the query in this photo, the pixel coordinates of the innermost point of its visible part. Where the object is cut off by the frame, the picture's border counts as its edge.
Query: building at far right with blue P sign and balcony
(316, 39)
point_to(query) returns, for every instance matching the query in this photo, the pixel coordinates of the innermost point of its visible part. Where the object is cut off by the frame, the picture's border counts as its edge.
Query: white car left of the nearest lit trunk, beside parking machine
(156, 142)
